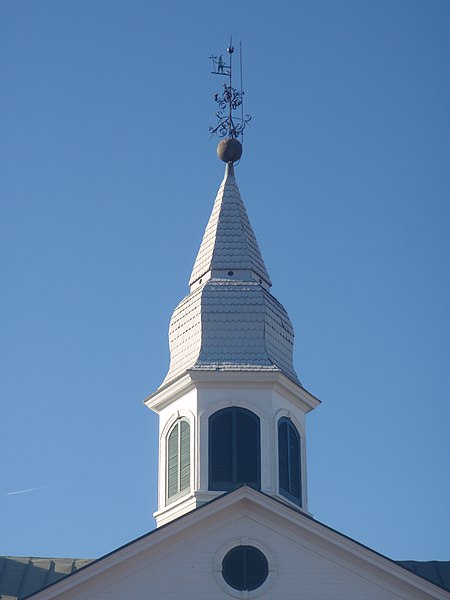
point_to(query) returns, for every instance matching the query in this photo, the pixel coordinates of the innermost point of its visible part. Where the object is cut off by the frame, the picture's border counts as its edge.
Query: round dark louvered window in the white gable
(245, 568)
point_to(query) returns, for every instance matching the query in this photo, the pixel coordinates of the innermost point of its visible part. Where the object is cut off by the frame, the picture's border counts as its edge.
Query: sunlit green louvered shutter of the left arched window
(178, 460)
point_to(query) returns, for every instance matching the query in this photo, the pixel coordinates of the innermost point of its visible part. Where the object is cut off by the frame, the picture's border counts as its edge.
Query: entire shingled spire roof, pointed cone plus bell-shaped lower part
(230, 321)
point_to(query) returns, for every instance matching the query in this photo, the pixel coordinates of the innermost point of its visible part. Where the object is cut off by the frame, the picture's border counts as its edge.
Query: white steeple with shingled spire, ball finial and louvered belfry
(231, 408)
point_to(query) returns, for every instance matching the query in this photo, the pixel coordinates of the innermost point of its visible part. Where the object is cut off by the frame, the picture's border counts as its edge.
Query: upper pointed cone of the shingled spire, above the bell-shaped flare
(229, 242)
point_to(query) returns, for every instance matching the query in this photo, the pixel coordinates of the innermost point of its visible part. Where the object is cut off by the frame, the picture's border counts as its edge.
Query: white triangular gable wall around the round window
(182, 560)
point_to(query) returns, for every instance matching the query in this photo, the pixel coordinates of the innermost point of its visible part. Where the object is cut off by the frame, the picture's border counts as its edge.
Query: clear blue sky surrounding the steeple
(107, 178)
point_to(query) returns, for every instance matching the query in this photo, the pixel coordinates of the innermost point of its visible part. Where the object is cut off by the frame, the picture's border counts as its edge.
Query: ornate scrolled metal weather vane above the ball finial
(230, 99)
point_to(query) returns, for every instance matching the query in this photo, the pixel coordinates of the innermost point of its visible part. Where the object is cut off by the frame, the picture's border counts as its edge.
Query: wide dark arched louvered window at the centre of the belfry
(234, 449)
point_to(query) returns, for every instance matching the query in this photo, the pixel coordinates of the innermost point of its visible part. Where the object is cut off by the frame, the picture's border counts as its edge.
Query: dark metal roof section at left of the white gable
(22, 576)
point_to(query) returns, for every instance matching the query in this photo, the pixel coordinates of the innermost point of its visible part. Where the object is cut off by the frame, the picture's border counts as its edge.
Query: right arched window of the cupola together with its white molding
(290, 452)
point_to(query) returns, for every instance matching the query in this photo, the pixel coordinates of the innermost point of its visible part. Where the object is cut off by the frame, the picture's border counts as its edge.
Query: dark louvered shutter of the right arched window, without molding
(289, 461)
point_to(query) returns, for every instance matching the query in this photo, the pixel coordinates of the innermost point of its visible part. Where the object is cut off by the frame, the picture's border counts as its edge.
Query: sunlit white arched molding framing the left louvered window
(179, 415)
